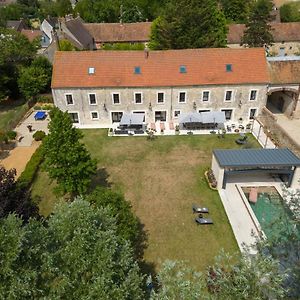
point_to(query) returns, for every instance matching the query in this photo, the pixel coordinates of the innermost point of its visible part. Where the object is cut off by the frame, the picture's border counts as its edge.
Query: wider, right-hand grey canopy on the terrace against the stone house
(203, 117)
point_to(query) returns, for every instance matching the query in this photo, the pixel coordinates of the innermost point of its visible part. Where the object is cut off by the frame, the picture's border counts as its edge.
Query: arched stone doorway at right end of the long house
(282, 101)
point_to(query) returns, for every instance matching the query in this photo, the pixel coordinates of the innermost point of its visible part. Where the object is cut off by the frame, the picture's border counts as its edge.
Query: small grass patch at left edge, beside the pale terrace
(11, 114)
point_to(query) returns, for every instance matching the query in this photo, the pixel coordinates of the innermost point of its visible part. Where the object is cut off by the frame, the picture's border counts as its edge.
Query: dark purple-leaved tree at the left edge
(14, 199)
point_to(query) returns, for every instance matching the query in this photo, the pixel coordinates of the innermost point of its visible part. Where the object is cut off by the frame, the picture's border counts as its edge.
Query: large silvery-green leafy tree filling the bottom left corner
(76, 254)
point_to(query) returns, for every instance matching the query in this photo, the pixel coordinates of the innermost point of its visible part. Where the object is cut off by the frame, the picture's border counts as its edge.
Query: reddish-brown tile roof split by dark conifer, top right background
(287, 32)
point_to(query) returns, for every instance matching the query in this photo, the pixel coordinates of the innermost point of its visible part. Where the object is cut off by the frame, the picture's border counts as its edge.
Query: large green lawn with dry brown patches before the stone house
(161, 178)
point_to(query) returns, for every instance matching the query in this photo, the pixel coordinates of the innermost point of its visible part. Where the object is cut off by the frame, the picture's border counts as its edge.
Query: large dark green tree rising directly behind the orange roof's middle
(179, 26)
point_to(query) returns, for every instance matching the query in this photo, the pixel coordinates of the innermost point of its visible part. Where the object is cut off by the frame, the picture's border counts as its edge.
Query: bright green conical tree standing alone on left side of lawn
(66, 159)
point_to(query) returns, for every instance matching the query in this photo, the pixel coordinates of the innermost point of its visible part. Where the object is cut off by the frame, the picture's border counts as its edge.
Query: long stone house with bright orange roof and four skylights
(97, 87)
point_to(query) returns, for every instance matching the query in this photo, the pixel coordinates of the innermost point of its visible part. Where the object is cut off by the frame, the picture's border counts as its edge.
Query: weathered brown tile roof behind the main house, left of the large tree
(117, 32)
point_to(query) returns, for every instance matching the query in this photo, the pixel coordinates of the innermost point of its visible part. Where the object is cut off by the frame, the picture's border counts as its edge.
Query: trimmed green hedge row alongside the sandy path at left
(27, 176)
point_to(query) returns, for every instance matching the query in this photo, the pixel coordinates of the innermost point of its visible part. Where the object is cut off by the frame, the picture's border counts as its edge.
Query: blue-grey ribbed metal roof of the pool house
(256, 158)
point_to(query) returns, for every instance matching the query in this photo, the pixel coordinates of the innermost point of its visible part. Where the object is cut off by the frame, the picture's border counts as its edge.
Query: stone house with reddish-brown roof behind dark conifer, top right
(286, 38)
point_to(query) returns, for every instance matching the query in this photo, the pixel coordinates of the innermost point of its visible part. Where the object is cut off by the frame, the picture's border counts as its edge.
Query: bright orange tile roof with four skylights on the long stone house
(161, 68)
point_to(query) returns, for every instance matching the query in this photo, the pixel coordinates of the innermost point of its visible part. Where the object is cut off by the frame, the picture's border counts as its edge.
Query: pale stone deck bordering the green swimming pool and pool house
(243, 222)
